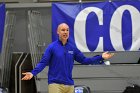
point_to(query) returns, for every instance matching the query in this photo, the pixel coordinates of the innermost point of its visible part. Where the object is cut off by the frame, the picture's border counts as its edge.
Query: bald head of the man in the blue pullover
(63, 32)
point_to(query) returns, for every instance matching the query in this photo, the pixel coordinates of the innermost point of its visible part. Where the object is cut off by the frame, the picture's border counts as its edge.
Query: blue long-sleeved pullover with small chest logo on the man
(60, 59)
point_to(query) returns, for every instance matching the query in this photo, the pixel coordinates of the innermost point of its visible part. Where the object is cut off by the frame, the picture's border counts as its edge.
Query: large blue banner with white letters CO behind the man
(100, 26)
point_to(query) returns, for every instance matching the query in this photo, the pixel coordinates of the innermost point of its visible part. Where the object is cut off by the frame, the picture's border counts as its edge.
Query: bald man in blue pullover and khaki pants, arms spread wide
(60, 56)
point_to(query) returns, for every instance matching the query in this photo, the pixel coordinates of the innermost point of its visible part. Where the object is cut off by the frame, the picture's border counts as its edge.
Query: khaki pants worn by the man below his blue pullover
(60, 88)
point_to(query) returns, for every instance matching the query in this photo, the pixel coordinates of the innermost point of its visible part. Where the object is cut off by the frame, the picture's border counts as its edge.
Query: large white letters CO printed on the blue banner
(115, 28)
